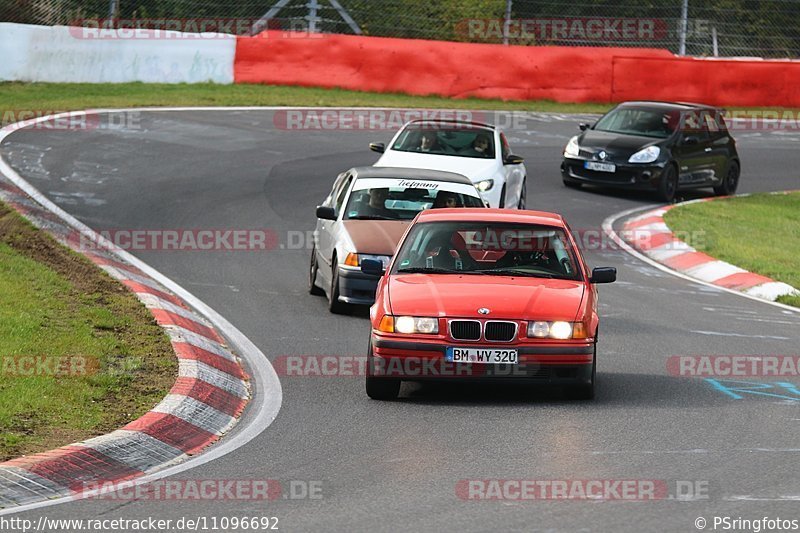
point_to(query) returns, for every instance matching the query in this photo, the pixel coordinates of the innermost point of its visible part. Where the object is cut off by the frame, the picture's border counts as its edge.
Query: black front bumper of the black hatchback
(627, 175)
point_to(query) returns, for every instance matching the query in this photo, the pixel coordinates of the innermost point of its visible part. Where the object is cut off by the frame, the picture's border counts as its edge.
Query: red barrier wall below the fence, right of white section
(563, 74)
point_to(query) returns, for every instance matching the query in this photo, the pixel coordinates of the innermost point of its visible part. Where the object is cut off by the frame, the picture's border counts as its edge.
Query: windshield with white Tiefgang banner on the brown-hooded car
(402, 199)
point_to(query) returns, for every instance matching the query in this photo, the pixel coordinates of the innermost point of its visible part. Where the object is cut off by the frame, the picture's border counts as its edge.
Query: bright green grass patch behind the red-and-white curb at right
(760, 233)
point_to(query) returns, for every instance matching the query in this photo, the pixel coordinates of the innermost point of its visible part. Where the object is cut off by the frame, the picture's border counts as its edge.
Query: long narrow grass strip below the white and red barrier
(70, 96)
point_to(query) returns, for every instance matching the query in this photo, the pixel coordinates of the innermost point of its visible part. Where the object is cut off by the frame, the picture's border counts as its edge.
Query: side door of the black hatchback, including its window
(693, 150)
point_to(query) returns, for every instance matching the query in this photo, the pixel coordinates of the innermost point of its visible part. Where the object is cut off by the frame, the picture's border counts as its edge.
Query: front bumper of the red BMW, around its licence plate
(566, 363)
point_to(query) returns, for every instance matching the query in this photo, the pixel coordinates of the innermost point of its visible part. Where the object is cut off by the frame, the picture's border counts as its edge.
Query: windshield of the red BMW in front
(487, 248)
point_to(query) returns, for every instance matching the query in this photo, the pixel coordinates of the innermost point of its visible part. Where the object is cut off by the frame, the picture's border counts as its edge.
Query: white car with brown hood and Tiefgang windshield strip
(366, 213)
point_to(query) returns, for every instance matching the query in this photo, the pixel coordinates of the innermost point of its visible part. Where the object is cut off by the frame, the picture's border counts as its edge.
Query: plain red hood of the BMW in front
(506, 297)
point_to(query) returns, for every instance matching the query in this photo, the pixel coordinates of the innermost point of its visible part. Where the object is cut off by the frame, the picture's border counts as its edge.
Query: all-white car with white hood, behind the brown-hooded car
(477, 151)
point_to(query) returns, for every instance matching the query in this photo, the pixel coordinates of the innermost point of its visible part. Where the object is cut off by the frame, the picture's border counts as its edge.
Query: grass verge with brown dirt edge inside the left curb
(100, 358)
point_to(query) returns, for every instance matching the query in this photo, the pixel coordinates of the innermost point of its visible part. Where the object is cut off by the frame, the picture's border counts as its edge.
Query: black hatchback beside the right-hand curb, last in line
(658, 146)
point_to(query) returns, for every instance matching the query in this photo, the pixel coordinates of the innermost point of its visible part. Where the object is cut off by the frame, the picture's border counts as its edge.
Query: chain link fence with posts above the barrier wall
(761, 28)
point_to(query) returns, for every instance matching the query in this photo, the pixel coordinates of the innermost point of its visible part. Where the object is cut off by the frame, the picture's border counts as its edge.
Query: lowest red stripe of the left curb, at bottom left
(74, 466)
